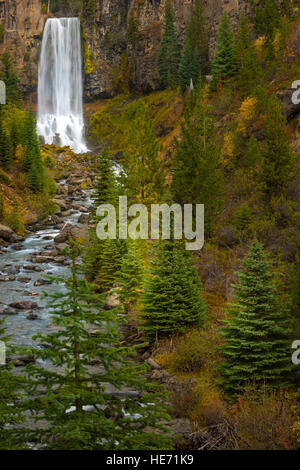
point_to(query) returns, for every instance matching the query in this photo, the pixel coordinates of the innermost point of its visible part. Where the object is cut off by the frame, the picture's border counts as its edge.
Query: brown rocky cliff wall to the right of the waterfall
(106, 42)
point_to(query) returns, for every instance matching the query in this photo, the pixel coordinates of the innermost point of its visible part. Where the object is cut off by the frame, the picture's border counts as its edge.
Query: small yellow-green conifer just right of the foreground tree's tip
(131, 276)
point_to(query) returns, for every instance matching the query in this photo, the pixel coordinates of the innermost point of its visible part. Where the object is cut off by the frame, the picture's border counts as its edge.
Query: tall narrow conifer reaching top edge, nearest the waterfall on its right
(169, 54)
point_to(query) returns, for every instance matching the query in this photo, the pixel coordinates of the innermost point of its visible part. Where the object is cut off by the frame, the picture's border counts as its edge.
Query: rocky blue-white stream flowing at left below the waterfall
(17, 260)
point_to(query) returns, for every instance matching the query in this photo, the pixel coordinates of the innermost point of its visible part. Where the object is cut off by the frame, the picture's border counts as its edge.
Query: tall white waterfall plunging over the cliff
(60, 112)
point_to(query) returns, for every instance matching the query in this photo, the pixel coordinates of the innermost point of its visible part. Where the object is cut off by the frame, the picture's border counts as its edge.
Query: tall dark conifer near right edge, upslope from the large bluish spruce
(276, 170)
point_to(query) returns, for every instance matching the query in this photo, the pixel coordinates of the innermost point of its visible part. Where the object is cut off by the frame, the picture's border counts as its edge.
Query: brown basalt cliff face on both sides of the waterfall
(104, 38)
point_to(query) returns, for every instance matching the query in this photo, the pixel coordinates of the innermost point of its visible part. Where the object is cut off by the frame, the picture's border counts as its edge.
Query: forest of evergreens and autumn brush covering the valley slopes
(196, 341)
